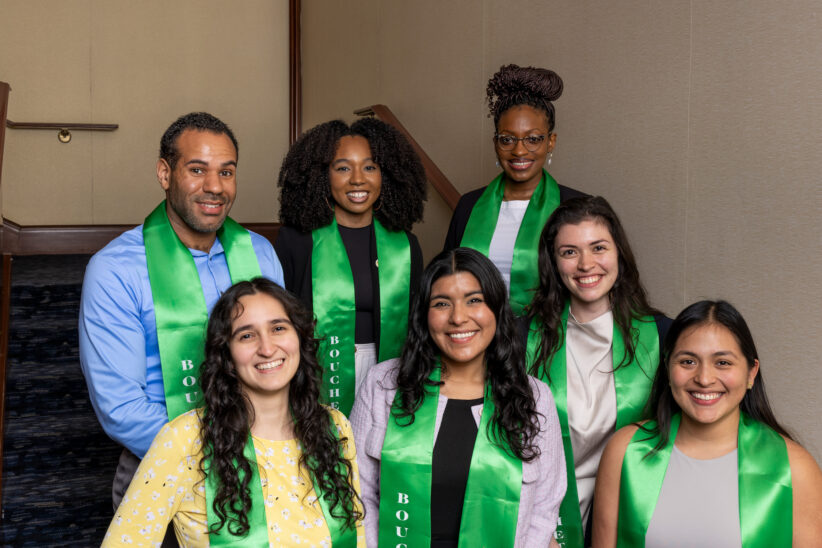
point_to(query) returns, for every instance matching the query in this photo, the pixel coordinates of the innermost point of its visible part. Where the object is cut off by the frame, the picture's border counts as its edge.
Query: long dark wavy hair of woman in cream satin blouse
(628, 297)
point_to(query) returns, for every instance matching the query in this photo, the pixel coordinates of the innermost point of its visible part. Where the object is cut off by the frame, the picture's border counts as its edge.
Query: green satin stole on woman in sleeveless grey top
(765, 490)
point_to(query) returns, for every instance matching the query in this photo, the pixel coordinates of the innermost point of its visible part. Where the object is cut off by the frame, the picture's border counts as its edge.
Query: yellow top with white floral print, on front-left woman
(168, 487)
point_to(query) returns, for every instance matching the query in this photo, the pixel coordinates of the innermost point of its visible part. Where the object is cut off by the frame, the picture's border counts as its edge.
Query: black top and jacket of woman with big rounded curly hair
(294, 251)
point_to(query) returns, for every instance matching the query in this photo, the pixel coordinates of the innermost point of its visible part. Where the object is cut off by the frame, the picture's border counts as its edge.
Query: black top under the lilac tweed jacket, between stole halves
(449, 470)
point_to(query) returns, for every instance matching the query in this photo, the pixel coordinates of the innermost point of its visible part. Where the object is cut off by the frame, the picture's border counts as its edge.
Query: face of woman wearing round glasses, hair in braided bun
(523, 167)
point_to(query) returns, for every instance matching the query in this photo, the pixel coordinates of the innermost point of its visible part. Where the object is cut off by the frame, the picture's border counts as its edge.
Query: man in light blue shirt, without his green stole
(119, 350)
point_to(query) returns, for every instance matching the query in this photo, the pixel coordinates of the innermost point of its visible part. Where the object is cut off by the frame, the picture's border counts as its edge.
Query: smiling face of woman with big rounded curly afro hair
(355, 181)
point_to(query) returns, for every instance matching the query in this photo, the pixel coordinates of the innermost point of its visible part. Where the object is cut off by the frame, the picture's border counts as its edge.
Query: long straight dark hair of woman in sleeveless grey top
(662, 406)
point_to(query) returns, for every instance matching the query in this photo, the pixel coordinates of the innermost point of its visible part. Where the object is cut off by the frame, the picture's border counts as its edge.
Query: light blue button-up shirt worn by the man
(119, 353)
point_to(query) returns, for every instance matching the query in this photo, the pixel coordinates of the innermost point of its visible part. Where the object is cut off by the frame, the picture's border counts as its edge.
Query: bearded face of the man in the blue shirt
(201, 188)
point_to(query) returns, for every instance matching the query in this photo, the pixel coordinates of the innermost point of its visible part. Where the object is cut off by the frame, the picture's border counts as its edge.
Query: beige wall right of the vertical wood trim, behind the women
(699, 121)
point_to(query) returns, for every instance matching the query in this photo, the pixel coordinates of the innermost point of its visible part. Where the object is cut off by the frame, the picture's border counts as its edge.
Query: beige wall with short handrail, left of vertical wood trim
(138, 64)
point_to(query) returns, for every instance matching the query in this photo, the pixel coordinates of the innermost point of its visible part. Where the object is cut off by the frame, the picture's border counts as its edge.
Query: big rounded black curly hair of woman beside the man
(304, 176)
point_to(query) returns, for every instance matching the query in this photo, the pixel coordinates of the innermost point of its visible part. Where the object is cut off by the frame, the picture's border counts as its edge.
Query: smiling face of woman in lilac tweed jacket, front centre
(459, 321)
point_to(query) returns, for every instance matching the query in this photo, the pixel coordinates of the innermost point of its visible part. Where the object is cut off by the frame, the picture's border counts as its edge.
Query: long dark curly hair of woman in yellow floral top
(228, 415)
